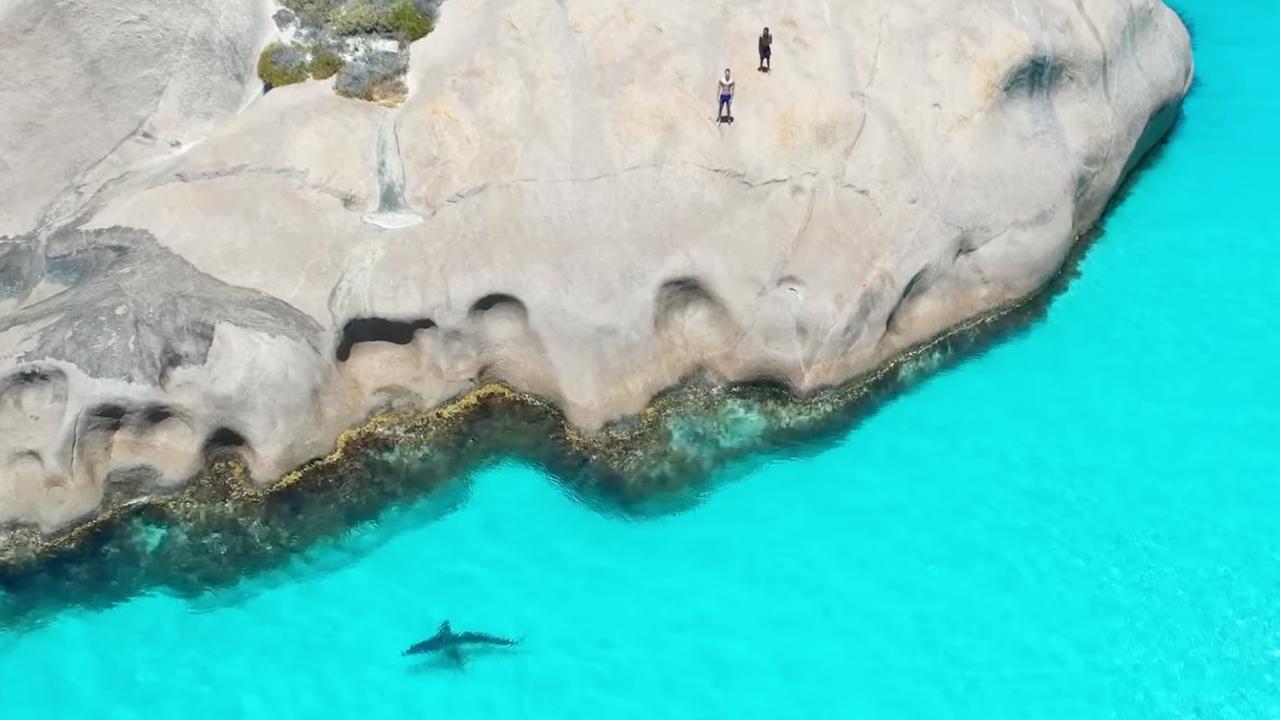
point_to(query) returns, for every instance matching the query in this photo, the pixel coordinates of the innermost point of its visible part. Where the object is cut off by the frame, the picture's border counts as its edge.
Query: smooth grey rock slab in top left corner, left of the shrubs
(94, 89)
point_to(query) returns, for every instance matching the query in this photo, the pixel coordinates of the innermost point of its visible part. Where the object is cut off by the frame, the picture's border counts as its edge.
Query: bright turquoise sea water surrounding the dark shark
(1082, 523)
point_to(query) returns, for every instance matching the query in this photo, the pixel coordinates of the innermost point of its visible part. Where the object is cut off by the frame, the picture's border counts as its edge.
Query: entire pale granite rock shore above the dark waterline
(184, 277)
